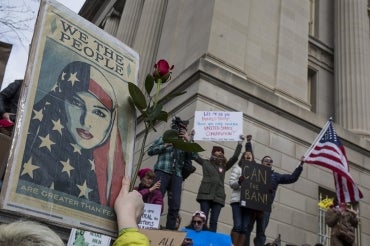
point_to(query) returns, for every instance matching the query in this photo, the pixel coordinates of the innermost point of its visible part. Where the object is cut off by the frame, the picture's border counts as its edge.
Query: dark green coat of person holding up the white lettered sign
(212, 186)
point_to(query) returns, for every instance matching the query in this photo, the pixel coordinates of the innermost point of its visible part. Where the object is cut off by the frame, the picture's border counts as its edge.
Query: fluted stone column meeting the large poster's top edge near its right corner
(129, 22)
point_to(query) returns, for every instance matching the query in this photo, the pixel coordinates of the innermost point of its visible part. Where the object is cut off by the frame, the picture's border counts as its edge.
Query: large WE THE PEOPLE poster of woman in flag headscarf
(75, 128)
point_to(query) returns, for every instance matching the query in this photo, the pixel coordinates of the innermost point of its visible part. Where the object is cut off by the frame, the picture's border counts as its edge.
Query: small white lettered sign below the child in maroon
(151, 216)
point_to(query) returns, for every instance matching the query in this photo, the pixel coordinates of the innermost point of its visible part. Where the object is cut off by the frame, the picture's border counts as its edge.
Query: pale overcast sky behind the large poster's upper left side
(16, 66)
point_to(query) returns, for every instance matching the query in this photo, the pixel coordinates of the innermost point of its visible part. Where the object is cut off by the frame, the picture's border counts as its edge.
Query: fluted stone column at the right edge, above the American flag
(352, 66)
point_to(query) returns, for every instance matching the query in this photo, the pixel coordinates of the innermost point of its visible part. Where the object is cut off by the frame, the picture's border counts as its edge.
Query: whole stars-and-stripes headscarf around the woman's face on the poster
(52, 157)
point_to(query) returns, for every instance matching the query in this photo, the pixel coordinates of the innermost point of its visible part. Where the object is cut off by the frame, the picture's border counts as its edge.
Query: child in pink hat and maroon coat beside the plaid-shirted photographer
(149, 191)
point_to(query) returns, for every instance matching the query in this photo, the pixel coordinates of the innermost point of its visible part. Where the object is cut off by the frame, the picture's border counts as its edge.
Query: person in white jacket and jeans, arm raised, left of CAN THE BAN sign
(240, 214)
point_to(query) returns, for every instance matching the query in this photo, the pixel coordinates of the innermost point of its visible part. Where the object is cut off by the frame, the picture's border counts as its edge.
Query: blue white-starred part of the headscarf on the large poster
(52, 159)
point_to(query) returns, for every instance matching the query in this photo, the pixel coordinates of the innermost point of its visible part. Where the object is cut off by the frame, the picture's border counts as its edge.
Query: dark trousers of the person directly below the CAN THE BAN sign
(261, 220)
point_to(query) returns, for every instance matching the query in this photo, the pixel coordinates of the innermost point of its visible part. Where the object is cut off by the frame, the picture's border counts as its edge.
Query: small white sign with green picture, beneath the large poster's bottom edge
(86, 238)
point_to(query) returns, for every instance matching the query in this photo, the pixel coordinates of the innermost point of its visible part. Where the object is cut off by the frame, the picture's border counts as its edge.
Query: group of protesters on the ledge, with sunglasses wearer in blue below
(211, 193)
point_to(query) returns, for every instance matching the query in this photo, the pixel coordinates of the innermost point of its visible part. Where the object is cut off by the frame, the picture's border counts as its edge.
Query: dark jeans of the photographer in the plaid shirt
(172, 184)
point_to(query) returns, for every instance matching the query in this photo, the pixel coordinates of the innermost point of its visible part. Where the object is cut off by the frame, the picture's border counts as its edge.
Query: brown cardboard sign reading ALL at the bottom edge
(163, 237)
